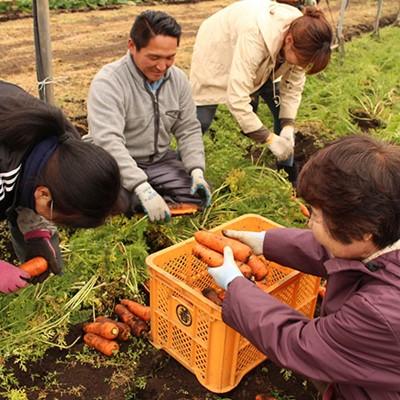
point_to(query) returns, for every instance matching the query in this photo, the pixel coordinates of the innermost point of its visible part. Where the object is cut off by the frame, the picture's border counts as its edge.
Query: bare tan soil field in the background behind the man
(82, 42)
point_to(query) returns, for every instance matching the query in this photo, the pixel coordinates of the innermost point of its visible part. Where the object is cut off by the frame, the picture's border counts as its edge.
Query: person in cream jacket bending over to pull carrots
(239, 53)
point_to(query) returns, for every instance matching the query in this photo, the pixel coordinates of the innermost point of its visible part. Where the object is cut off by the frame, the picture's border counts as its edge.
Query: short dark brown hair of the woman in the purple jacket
(355, 181)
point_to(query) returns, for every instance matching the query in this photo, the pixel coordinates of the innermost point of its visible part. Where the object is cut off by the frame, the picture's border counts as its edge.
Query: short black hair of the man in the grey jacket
(151, 23)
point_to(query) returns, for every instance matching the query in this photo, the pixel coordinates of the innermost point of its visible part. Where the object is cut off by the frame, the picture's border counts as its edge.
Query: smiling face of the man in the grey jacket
(155, 59)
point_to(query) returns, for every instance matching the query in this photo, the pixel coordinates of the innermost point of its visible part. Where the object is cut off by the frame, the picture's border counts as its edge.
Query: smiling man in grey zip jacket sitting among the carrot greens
(135, 107)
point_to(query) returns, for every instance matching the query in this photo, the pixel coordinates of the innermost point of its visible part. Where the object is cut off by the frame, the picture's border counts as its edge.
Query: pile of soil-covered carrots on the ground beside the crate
(103, 332)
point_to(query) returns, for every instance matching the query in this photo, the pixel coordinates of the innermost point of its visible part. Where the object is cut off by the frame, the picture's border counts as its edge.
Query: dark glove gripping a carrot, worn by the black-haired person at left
(41, 242)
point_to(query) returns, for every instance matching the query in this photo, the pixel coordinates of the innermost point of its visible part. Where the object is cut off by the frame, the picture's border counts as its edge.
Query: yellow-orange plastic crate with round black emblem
(189, 326)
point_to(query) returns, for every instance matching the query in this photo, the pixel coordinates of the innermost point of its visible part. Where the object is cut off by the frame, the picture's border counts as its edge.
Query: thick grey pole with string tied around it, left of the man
(41, 29)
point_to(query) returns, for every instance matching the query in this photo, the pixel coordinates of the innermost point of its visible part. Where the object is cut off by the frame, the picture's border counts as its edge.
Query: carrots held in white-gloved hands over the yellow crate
(209, 248)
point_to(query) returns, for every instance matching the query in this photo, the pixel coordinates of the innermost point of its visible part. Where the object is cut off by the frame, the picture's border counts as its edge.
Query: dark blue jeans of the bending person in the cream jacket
(206, 114)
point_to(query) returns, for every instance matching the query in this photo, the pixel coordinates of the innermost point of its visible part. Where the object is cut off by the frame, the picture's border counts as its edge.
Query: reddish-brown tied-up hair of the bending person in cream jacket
(312, 38)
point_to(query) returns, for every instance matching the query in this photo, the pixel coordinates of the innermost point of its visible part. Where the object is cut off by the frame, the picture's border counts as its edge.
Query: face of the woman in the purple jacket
(356, 250)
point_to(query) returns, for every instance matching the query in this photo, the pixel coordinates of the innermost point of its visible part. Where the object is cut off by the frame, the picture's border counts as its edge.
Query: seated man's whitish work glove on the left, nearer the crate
(153, 204)
